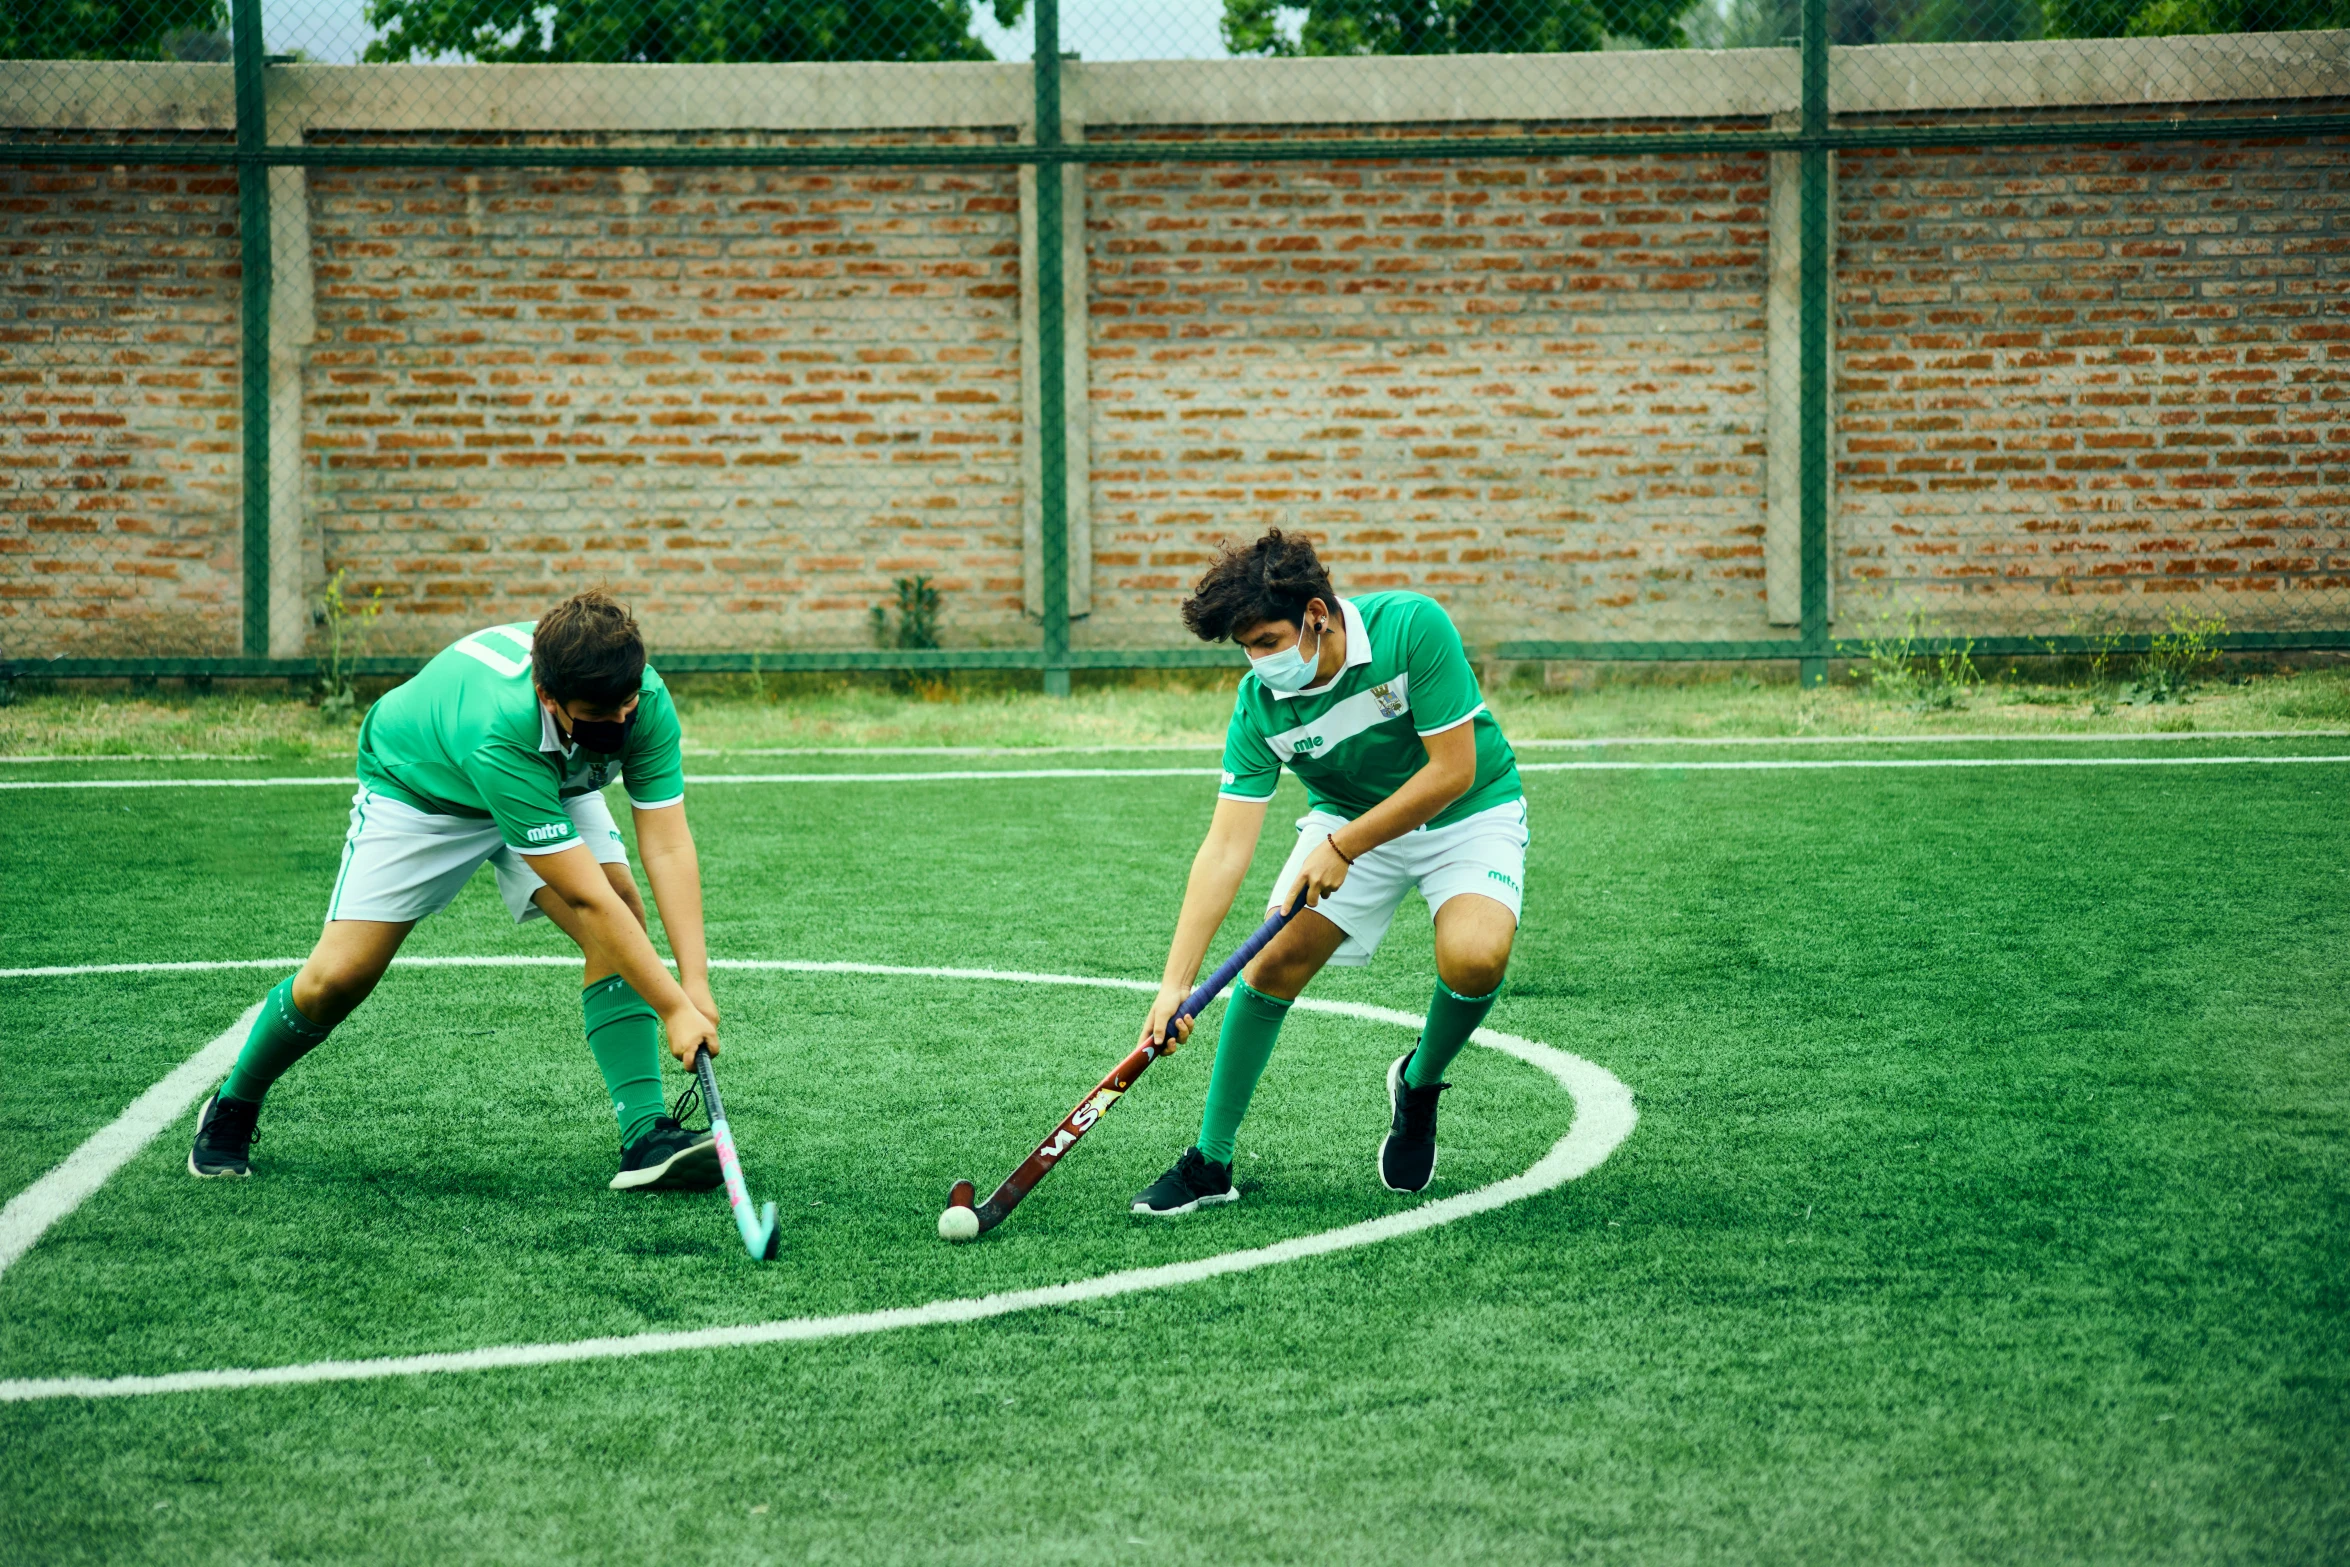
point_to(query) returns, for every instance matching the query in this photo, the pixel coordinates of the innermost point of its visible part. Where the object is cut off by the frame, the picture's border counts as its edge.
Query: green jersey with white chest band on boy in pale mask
(1357, 739)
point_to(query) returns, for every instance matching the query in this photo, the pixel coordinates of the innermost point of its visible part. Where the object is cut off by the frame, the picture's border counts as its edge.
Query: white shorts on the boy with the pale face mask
(1482, 854)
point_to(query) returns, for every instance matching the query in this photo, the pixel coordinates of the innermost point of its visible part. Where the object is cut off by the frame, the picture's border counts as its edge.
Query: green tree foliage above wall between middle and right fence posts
(1451, 27)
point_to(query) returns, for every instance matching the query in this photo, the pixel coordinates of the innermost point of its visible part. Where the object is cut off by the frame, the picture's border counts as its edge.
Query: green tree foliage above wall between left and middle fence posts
(678, 32)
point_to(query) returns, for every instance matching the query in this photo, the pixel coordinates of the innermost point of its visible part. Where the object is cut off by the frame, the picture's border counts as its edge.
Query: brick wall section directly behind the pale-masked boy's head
(1529, 389)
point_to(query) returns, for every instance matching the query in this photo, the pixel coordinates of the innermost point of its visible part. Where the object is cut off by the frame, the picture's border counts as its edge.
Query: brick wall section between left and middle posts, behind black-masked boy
(741, 398)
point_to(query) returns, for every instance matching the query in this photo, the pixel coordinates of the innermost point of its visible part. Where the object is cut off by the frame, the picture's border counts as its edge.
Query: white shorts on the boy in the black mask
(403, 863)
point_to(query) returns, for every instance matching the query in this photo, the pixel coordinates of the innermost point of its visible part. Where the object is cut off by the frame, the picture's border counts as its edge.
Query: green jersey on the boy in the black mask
(469, 739)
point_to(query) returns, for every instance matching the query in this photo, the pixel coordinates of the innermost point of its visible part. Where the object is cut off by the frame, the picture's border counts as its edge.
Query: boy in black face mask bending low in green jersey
(497, 755)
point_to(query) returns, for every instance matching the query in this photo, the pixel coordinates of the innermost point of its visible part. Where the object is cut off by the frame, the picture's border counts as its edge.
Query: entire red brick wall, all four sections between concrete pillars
(2076, 384)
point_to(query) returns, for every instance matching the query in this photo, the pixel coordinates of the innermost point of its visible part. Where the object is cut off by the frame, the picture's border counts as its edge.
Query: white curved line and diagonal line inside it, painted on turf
(1604, 1119)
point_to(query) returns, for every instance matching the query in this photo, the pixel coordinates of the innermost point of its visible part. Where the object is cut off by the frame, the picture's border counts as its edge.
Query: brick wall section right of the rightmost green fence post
(2097, 384)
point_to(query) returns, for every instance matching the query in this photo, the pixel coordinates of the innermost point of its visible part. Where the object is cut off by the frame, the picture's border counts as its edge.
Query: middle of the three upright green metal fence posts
(1052, 363)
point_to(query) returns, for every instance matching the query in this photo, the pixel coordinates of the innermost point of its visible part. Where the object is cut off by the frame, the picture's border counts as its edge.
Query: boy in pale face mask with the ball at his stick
(1409, 783)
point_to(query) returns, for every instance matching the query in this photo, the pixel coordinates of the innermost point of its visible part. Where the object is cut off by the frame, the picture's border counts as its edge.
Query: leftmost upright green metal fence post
(255, 311)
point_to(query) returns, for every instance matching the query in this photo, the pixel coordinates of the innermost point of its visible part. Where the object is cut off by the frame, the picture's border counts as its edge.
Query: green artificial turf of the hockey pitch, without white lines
(1989, 1202)
